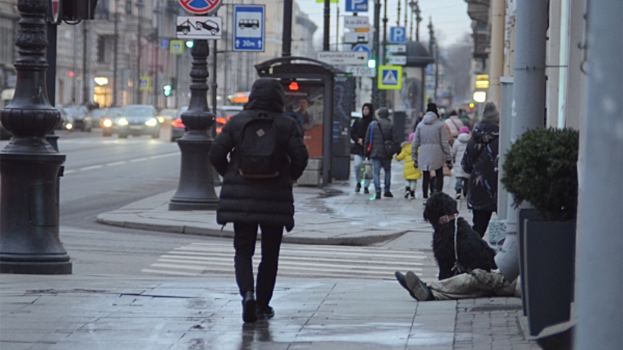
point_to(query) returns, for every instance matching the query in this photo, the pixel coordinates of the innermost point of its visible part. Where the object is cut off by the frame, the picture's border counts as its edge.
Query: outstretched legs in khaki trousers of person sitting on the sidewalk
(476, 284)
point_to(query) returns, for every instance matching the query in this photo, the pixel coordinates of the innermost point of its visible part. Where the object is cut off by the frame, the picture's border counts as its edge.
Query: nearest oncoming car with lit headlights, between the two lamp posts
(137, 120)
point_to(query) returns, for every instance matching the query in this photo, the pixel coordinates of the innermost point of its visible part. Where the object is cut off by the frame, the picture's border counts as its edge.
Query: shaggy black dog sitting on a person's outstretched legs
(473, 251)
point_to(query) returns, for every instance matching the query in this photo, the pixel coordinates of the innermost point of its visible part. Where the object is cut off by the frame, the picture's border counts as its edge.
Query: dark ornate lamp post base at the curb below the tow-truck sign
(196, 187)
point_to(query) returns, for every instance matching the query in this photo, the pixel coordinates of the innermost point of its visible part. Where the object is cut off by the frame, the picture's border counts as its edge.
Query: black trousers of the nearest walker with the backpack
(245, 236)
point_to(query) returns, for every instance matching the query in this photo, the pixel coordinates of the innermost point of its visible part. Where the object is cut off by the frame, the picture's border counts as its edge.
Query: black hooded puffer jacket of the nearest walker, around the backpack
(266, 201)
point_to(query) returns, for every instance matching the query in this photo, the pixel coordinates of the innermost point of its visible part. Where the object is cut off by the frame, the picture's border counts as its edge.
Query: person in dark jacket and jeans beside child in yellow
(379, 132)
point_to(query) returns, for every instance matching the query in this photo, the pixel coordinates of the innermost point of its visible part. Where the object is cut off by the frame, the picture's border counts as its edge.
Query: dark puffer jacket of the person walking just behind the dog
(480, 161)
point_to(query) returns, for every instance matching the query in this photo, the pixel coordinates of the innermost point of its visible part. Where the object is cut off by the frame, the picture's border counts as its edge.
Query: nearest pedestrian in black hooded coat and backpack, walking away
(259, 153)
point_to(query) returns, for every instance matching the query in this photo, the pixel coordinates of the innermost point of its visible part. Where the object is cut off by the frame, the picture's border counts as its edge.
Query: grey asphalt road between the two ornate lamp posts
(106, 173)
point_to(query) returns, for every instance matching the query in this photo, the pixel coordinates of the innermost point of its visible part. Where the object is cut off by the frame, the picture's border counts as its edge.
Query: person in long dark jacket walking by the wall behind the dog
(480, 161)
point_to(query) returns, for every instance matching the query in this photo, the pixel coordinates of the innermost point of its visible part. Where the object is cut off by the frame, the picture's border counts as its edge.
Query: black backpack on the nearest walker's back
(259, 154)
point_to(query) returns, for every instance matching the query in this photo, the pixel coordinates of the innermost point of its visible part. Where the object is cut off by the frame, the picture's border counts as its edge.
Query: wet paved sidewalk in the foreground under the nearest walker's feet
(123, 313)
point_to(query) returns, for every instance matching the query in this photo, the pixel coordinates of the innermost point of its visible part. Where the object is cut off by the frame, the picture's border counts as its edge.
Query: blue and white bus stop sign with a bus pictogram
(249, 28)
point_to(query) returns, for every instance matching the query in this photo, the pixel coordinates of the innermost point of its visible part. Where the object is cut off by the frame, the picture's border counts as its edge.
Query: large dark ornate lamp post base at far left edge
(29, 165)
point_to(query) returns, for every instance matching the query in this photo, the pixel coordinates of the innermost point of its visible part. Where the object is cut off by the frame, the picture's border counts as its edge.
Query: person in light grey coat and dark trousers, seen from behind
(430, 150)
